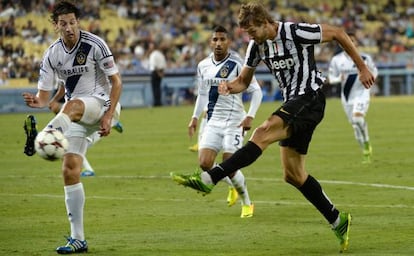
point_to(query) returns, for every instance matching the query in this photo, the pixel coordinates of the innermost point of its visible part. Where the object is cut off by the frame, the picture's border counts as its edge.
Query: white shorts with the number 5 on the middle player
(229, 138)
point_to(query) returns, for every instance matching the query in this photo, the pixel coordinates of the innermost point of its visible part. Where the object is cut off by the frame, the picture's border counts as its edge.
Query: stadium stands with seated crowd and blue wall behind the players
(181, 28)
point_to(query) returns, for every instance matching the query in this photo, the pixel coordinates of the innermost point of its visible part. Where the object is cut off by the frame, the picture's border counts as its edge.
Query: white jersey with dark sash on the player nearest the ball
(84, 69)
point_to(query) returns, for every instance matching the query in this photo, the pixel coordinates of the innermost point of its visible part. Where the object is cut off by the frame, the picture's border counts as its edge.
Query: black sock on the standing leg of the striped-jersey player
(312, 190)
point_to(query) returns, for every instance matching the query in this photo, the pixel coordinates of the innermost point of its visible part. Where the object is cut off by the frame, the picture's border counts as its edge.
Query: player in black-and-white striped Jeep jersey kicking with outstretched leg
(287, 49)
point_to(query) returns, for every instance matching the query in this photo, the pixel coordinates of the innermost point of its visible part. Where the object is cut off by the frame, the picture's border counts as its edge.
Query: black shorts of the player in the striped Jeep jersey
(302, 114)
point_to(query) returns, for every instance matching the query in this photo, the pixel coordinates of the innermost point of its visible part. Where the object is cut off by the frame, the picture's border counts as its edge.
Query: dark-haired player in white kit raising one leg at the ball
(93, 87)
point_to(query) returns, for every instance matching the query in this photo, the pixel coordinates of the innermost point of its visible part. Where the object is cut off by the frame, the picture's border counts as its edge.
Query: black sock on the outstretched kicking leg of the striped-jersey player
(241, 158)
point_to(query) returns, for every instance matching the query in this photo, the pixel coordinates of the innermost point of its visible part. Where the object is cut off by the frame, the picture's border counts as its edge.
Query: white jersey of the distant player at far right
(343, 69)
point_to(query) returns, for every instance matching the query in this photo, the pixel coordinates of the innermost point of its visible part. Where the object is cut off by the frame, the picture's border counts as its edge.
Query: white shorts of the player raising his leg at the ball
(78, 132)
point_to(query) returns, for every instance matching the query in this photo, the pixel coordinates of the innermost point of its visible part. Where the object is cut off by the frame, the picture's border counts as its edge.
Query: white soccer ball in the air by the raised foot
(51, 144)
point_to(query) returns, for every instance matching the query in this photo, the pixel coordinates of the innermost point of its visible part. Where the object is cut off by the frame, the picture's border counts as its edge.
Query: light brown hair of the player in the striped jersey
(253, 13)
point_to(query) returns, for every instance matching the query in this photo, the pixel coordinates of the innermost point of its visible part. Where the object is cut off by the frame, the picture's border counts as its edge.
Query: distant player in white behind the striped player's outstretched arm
(354, 96)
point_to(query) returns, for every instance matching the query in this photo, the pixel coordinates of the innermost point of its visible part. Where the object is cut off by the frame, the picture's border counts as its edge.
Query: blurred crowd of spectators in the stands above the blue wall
(181, 28)
